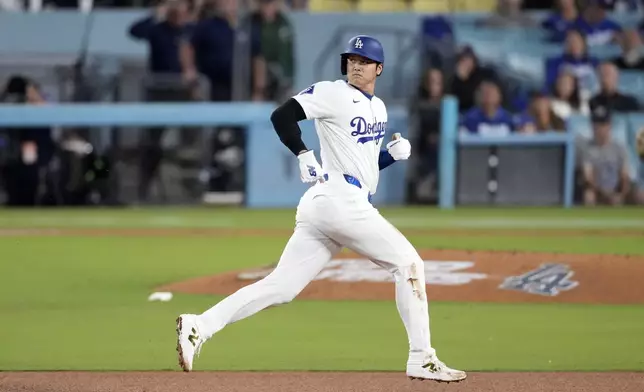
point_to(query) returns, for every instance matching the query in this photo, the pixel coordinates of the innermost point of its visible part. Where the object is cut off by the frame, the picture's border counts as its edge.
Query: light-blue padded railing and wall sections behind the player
(270, 178)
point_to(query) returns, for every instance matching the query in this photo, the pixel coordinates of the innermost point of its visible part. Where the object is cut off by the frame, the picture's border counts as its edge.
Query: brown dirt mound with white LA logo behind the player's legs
(469, 276)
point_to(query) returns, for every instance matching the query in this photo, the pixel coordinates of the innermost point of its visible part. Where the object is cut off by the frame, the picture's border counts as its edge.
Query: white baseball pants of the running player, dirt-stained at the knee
(330, 216)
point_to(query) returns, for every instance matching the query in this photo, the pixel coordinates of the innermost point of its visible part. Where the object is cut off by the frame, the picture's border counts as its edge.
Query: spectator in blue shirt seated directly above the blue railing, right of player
(489, 118)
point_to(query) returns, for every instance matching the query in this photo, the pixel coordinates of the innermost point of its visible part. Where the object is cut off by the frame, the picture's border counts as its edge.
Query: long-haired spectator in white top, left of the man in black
(566, 97)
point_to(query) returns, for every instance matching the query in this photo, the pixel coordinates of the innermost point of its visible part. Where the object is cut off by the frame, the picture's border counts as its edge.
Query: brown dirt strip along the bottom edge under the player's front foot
(313, 382)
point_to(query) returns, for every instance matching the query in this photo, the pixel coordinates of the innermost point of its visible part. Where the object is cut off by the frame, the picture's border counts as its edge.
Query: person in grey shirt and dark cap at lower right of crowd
(604, 164)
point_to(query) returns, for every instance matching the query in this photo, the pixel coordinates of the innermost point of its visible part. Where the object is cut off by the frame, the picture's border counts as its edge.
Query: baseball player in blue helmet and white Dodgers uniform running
(336, 211)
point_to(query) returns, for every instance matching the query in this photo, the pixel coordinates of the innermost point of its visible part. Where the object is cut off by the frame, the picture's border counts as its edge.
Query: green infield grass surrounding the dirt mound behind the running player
(81, 302)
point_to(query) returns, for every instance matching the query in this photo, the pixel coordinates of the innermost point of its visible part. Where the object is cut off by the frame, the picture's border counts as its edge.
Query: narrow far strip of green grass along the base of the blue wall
(506, 218)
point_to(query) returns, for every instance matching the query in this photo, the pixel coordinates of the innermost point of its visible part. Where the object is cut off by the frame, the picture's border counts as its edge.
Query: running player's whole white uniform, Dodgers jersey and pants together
(335, 214)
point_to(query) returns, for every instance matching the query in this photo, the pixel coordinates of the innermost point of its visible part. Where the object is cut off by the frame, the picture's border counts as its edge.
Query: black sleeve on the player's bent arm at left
(285, 119)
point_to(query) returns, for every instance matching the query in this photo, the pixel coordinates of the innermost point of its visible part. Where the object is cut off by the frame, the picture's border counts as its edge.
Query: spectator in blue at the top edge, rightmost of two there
(595, 26)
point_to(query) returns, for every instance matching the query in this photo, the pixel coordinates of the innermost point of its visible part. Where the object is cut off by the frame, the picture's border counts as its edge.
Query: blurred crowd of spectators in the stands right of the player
(576, 84)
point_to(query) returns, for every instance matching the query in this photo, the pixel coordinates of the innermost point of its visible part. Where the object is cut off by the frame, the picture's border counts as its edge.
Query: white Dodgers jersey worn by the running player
(351, 126)
